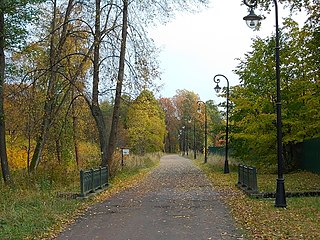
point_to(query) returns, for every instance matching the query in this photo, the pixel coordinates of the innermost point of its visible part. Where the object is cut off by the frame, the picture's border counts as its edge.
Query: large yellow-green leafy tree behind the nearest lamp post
(253, 115)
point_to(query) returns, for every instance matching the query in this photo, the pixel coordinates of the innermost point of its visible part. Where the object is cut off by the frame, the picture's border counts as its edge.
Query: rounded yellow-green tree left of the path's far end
(146, 124)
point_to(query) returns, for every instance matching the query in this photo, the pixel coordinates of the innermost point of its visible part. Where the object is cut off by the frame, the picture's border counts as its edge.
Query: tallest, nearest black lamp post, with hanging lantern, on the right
(280, 192)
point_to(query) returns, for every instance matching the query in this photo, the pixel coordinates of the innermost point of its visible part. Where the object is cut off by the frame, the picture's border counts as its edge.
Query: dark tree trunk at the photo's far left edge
(3, 148)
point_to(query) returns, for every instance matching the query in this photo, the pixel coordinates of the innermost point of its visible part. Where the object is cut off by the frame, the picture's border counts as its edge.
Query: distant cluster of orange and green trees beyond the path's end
(184, 122)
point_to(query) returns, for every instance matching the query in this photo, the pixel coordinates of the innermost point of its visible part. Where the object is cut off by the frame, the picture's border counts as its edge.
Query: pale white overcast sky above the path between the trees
(196, 47)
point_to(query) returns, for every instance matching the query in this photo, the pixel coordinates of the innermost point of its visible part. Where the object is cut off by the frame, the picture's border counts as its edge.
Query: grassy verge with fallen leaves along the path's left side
(31, 210)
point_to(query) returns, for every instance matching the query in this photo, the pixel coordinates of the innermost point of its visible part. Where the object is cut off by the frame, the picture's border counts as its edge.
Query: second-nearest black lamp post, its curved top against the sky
(217, 88)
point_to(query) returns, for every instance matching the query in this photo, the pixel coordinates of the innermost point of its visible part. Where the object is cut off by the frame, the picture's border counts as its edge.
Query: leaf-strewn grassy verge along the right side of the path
(258, 217)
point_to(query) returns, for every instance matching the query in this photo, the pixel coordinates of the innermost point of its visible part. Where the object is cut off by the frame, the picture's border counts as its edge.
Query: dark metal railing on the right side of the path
(247, 178)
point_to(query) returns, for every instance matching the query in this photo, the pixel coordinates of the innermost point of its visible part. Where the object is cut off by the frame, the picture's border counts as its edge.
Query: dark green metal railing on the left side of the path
(92, 180)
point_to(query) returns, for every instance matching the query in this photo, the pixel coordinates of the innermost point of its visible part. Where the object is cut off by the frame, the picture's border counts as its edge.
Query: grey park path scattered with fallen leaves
(176, 201)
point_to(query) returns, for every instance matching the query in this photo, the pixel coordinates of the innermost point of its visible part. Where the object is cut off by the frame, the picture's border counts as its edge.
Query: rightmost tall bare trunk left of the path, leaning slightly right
(116, 109)
